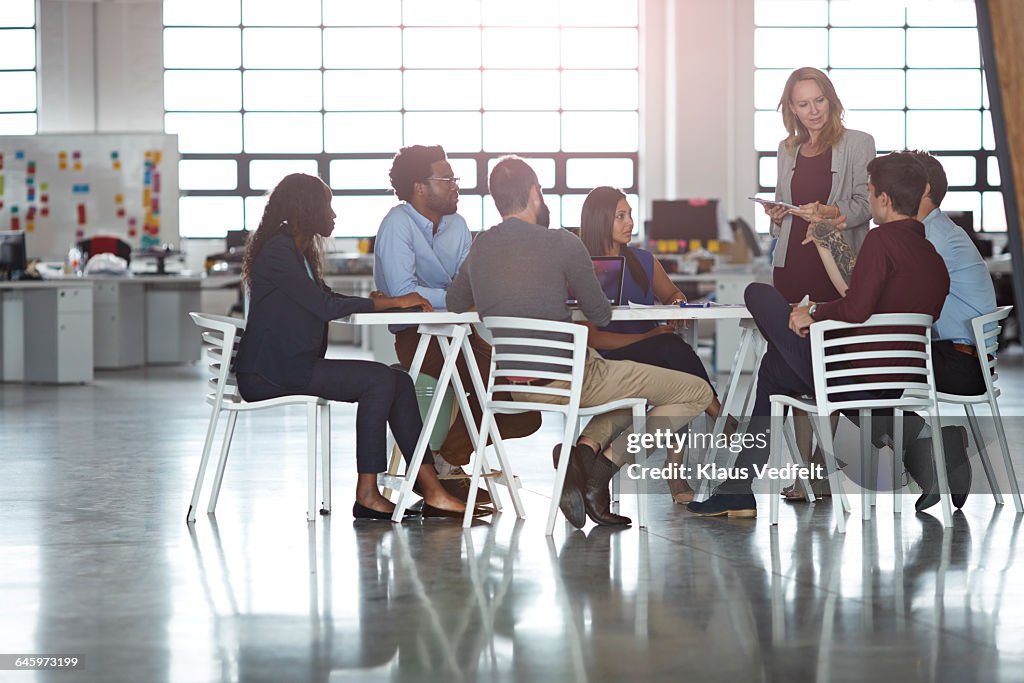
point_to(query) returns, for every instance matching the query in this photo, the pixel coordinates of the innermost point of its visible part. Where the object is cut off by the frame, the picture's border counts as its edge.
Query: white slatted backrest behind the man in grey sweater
(529, 349)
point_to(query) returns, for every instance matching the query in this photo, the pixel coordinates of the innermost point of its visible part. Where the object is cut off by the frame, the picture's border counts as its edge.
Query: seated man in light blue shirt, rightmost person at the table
(971, 290)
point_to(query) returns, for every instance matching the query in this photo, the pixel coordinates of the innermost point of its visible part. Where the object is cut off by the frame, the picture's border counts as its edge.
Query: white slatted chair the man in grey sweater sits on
(521, 340)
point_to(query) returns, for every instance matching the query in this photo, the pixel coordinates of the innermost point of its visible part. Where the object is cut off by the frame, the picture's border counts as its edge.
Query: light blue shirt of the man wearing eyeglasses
(409, 258)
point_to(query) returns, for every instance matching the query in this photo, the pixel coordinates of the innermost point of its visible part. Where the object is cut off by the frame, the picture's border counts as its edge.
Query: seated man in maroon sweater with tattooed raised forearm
(898, 272)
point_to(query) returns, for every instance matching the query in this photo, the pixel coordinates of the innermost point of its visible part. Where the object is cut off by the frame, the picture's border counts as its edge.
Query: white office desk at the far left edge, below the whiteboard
(47, 331)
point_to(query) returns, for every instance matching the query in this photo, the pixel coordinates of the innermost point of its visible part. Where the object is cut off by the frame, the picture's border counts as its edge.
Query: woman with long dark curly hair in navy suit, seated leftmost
(283, 348)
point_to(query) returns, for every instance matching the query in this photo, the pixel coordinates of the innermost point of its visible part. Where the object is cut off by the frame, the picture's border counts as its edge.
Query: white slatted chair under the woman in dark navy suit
(221, 336)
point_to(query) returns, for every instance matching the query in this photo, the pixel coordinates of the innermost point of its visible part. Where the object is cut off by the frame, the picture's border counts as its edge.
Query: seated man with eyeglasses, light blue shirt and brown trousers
(421, 245)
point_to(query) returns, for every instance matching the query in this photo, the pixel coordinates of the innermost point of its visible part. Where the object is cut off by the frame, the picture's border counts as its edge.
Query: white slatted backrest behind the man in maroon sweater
(879, 364)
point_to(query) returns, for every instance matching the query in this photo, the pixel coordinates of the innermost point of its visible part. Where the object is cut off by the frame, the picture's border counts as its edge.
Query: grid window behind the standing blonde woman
(908, 72)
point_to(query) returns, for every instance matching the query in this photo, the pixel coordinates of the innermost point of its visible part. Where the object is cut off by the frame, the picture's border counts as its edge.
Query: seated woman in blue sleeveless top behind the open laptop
(607, 229)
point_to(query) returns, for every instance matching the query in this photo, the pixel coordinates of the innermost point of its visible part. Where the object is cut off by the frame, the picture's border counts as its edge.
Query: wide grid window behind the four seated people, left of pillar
(257, 90)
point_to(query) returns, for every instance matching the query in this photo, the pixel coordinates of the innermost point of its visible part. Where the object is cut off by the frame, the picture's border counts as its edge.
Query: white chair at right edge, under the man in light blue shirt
(988, 344)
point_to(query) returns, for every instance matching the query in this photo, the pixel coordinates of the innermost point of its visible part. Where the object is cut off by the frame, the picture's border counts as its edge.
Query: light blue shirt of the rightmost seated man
(971, 290)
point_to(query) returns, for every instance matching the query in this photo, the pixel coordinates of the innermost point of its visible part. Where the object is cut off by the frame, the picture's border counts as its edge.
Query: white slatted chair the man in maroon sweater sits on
(909, 376)
